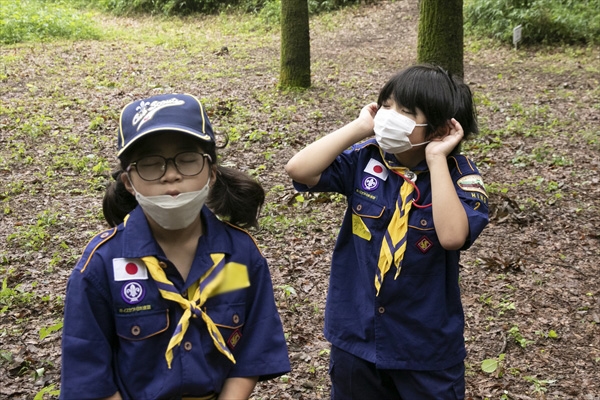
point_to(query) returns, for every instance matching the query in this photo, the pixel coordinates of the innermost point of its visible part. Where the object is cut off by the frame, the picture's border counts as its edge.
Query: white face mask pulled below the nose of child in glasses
(174, 212)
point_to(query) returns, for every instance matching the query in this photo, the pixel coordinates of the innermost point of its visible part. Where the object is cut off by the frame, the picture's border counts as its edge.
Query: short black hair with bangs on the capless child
(437, 93)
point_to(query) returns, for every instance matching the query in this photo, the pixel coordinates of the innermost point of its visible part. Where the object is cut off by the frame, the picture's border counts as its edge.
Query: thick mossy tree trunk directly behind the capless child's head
(440, 38)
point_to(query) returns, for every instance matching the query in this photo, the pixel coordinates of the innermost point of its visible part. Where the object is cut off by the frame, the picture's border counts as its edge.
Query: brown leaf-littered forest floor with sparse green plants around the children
(530, 284)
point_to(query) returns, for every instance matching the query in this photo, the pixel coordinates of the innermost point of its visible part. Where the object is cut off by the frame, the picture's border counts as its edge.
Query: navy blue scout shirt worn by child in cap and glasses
(117, 325)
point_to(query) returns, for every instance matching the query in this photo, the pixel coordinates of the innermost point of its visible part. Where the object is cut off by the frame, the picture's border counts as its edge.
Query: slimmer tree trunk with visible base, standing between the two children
(295, 45)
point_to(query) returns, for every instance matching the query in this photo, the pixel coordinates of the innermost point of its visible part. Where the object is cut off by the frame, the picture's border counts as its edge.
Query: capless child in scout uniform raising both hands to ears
(393, 315)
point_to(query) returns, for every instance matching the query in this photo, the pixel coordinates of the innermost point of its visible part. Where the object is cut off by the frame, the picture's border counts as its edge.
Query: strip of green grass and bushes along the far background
(543, 21)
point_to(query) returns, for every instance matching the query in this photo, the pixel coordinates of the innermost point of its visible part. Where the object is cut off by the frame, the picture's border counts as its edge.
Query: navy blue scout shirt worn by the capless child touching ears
(417, 320)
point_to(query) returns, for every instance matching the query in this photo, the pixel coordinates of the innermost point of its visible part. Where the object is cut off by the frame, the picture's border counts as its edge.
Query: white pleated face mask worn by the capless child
(392, 130)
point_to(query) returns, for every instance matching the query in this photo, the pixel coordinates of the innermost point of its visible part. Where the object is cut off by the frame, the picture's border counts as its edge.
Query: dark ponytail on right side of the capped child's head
(236, 197)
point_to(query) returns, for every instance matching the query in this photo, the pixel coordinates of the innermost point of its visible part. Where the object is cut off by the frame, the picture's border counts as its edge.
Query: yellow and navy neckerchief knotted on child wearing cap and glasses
(220, 278)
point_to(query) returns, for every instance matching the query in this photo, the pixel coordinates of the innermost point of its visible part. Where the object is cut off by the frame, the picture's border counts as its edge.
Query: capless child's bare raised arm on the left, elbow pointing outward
(308, 164)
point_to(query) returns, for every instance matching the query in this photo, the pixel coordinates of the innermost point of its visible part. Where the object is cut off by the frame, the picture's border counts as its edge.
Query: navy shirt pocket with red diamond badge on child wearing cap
(230, 320)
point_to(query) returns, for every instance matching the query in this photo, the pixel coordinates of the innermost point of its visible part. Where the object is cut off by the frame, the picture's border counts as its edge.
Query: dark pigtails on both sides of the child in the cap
(235, 196)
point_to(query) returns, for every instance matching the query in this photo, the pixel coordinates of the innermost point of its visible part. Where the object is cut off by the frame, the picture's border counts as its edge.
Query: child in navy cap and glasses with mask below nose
(175, 301)
